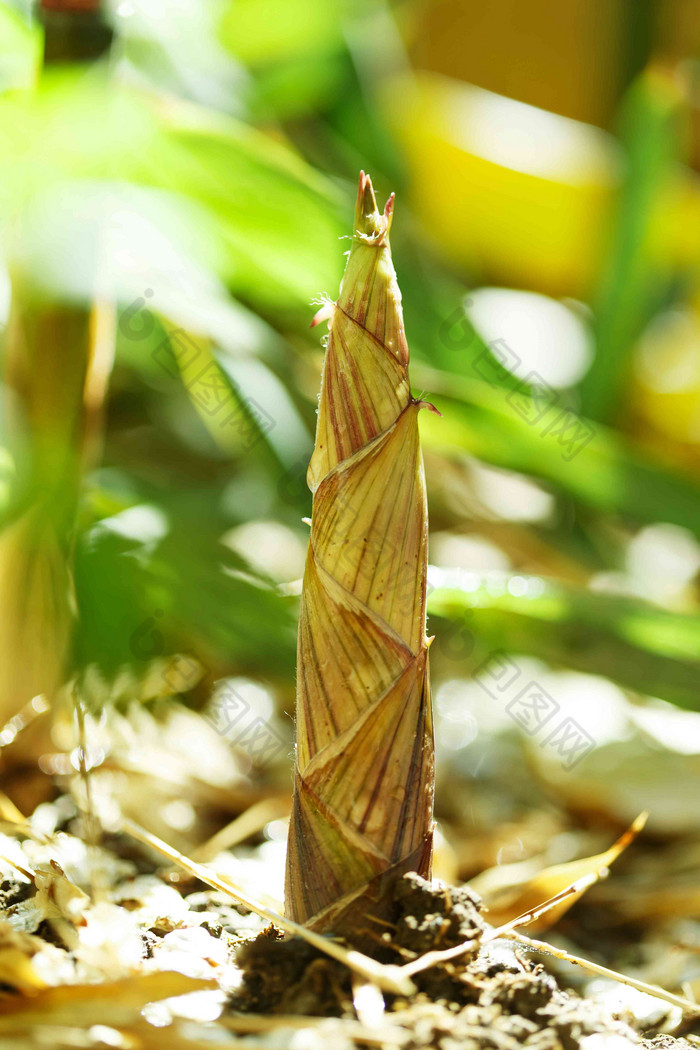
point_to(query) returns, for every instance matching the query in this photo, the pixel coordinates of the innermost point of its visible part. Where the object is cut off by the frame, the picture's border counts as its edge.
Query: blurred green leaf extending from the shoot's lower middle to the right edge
(640, 646)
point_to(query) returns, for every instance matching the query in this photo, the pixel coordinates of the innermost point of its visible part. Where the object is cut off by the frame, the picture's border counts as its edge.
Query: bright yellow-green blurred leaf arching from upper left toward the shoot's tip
(270, 221)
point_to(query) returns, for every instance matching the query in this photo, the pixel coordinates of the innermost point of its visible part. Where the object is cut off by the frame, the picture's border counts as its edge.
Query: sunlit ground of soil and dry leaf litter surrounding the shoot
(129, 942)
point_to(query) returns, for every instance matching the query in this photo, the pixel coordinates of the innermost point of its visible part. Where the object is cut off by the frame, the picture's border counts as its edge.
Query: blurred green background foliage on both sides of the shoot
(201, 178)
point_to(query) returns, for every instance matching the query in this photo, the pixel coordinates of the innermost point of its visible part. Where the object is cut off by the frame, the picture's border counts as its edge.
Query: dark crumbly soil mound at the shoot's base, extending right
(493, 997)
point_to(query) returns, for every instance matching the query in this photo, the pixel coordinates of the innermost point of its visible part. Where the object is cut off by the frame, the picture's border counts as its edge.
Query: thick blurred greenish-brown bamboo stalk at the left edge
(57, 358)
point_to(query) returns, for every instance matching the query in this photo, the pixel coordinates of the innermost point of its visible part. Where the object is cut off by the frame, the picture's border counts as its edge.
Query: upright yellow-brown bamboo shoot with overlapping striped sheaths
(363, 811)
